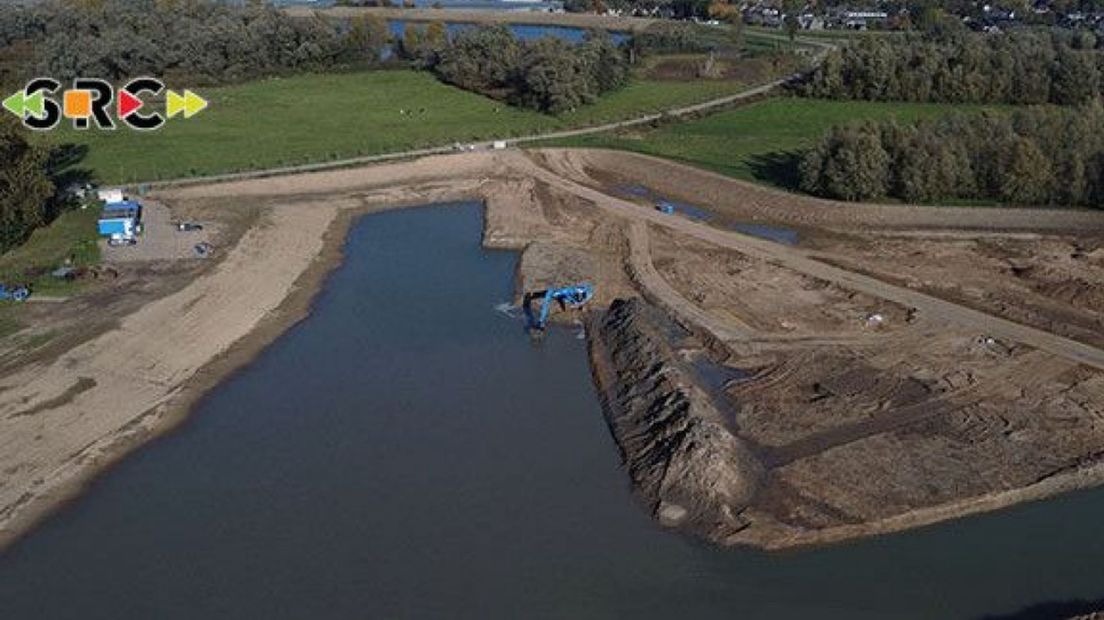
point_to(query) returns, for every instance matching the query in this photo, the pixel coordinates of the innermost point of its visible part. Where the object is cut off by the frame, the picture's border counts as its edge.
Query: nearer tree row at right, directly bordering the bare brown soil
(1037, 156)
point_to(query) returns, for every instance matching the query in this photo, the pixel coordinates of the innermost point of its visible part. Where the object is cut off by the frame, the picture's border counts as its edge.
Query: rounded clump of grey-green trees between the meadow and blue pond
(548, 74)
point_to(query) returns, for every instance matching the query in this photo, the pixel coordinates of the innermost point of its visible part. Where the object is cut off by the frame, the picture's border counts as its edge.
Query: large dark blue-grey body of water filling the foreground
(408, 453)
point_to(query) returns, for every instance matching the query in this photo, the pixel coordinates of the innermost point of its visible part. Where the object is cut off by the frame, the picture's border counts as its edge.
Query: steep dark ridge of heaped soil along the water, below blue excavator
(684, 463)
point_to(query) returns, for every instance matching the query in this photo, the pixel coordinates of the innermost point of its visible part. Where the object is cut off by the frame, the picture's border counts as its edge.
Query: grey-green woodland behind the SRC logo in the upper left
(190, 41)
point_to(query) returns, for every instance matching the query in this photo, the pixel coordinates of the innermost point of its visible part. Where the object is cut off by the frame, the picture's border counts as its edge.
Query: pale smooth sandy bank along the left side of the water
(61, 421)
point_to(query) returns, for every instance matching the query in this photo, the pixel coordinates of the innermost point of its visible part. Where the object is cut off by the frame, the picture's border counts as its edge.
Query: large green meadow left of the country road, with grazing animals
(312, 119)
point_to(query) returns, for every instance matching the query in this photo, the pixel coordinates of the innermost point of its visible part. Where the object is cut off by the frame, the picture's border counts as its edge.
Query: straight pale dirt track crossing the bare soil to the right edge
(798, 260)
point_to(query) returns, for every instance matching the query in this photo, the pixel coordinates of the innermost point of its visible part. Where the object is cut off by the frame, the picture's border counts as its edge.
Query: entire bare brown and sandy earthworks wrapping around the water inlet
(901, 366)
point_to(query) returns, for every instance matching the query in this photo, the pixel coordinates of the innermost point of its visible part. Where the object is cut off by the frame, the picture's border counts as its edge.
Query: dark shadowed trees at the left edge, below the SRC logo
(25, 185)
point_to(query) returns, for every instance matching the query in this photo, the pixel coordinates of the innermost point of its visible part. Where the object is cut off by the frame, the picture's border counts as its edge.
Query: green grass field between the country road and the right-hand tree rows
(759, 142)
